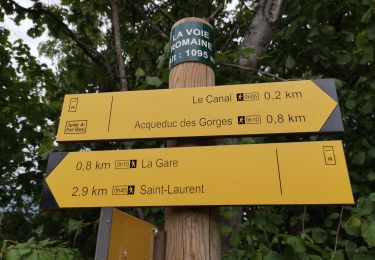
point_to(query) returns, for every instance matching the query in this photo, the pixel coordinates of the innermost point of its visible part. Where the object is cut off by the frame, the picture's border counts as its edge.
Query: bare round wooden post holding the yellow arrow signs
(192, 232)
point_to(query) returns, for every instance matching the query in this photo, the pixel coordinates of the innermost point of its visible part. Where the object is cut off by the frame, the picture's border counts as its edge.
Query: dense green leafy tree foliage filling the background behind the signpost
(313, 39)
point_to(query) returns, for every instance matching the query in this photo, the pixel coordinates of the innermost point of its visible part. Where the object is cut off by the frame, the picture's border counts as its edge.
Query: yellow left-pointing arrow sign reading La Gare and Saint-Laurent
(283, 173)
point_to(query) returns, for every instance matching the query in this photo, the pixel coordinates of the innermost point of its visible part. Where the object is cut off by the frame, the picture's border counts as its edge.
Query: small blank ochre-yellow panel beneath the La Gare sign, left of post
(131, 238)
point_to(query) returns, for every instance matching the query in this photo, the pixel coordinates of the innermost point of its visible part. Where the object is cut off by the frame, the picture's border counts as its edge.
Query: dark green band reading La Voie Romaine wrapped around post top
(192, 41)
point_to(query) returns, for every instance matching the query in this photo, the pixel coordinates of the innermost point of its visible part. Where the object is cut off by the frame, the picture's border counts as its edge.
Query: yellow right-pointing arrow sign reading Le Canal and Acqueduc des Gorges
(250, 109)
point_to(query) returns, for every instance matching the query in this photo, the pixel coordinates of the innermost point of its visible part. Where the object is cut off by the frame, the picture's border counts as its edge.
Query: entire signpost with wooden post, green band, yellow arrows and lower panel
(261, 174)
